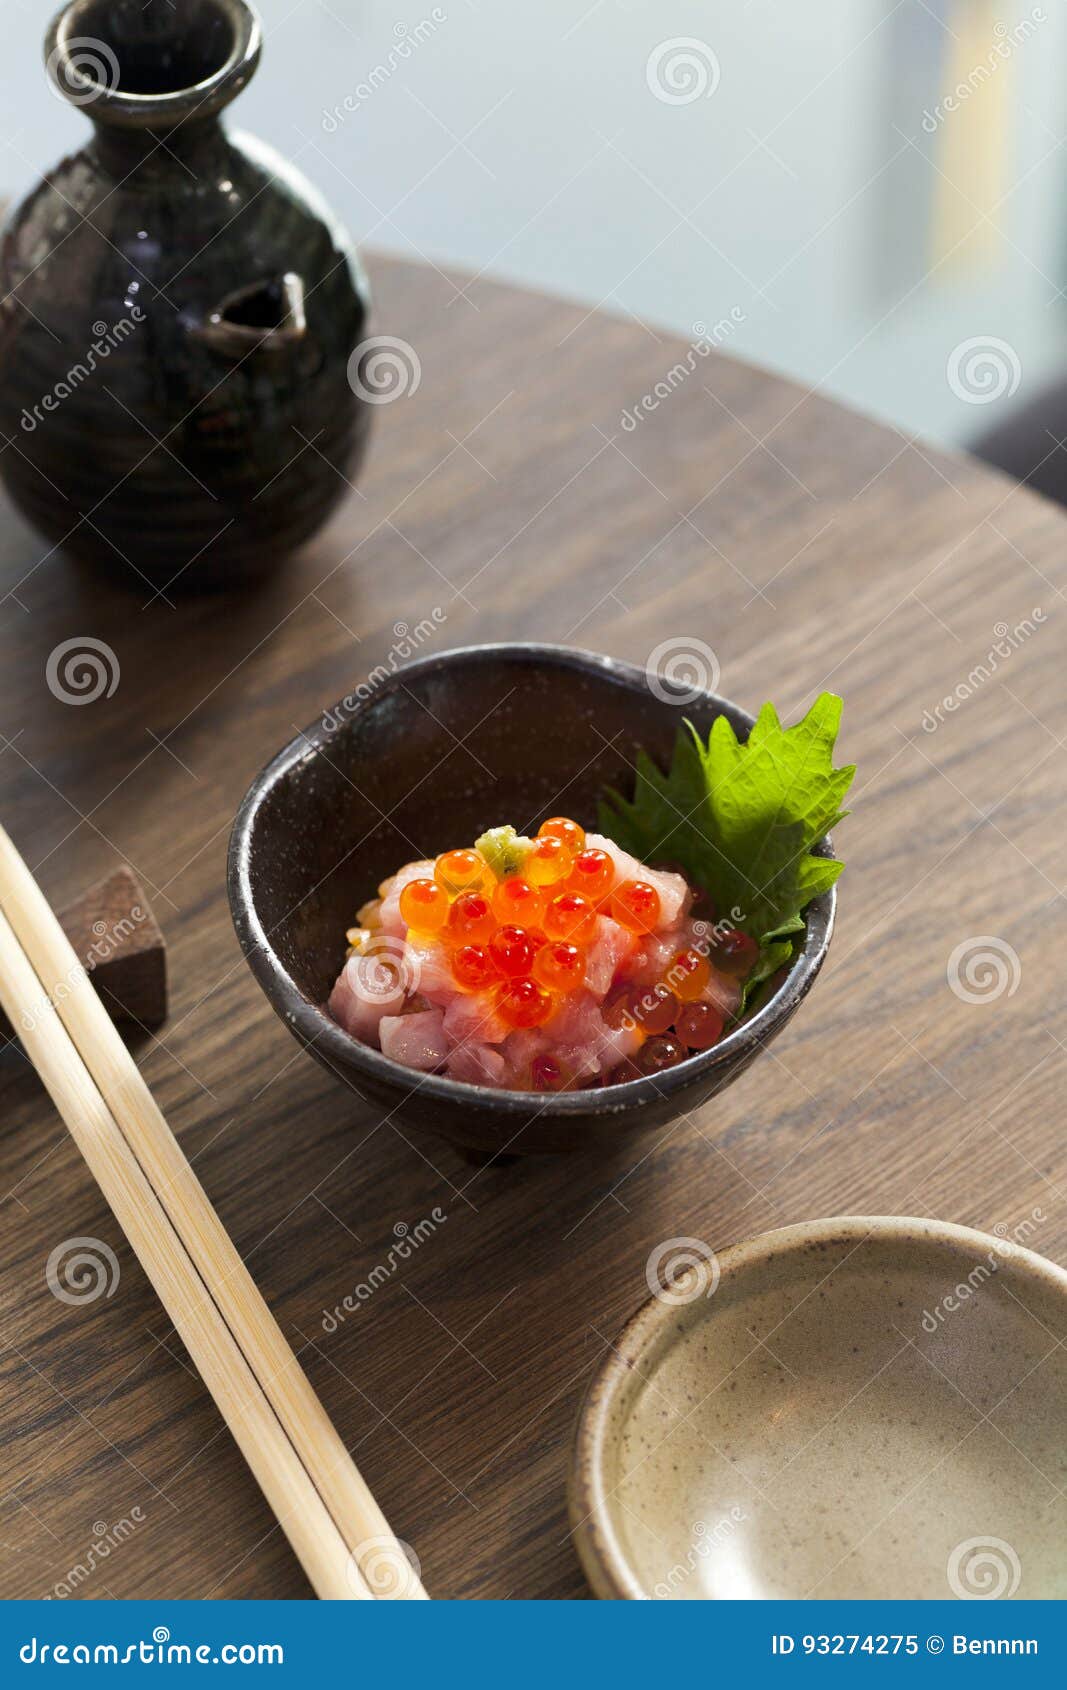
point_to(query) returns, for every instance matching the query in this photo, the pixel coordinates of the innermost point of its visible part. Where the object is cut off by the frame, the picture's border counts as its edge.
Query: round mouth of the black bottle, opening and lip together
(148, 63)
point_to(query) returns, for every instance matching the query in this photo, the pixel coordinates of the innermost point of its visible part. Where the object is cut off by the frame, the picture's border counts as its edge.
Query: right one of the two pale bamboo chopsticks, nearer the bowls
(209, 1246)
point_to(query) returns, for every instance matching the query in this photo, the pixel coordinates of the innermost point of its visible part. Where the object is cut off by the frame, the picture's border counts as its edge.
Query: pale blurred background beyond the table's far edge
(804, 172)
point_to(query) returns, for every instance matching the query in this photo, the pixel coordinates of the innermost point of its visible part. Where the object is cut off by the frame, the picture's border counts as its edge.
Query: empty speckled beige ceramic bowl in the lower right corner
(845, 1409)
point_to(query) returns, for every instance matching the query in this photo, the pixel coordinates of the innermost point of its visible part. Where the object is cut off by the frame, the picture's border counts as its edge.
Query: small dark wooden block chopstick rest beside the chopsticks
(116, 935)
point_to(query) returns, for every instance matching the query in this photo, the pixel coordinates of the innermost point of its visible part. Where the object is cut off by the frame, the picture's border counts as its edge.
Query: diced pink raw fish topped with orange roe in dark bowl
(542, 964)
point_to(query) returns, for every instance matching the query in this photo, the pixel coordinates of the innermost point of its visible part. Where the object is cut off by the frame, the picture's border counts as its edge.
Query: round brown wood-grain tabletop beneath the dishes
(809, 548)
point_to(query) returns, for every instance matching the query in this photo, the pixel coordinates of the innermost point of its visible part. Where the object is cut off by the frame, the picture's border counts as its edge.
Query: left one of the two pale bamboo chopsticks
(180, 1289)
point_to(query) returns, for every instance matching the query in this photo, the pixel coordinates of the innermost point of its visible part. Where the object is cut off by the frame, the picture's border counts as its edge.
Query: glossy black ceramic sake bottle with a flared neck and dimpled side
(178, 315)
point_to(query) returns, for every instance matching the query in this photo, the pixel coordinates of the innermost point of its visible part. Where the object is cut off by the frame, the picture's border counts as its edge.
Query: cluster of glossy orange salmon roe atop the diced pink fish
(525, 935)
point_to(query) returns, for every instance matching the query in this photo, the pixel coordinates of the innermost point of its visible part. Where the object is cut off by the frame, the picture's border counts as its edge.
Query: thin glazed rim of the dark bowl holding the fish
(312, 1022)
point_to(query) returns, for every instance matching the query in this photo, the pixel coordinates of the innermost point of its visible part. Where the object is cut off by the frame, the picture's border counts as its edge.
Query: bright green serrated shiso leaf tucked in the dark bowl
(741, 820)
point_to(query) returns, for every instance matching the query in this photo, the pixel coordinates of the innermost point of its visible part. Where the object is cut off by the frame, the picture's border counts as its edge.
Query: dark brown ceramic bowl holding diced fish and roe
(430, 758)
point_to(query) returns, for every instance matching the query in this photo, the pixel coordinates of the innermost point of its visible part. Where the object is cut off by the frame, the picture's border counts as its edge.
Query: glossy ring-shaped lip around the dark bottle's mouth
(156, 111)
